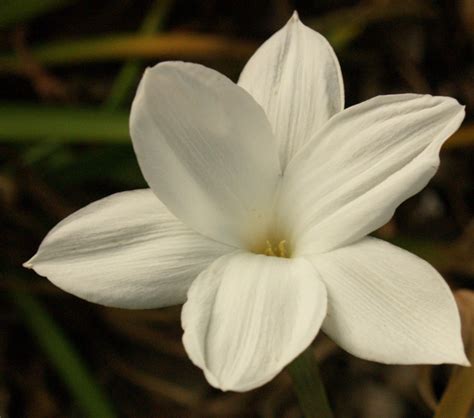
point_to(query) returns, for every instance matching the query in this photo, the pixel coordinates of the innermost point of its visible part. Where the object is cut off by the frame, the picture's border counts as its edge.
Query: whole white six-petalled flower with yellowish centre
(262, 196)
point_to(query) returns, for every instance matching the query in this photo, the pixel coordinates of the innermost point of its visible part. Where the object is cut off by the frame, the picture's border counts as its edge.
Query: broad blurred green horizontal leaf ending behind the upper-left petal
(23, 123)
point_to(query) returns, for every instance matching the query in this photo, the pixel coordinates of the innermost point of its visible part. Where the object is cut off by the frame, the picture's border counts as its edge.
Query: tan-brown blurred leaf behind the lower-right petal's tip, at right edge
(458, 398)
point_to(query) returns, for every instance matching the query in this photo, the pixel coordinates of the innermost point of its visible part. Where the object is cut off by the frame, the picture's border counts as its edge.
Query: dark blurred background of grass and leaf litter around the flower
(64, 143)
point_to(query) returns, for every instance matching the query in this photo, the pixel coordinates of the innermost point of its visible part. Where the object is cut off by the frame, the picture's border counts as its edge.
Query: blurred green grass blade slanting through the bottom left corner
(68, 364)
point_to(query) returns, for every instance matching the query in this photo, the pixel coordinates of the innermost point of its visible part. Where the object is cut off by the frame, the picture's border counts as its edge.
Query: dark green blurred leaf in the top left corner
(16, 11)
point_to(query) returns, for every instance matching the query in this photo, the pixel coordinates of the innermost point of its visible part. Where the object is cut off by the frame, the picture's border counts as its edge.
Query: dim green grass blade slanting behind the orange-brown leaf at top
(130, 71)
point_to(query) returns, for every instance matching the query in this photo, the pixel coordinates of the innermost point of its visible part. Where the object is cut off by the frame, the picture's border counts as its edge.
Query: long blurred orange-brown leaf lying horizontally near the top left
(186, 46)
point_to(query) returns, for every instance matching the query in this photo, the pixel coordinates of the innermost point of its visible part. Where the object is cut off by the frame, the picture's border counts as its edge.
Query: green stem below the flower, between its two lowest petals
(309, 387)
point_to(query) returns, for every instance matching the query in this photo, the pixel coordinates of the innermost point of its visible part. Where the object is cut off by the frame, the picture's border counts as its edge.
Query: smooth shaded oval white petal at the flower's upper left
(206, 149)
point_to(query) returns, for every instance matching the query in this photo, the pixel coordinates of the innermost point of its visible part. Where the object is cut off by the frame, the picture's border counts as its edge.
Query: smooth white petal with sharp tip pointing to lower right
(387, 305)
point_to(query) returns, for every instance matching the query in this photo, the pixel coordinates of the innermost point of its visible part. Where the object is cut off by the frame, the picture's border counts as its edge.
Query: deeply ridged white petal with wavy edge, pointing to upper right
(366, 160)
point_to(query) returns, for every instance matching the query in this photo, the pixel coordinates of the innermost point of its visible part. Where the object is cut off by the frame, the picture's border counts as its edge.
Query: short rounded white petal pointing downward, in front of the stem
(247, 316)
